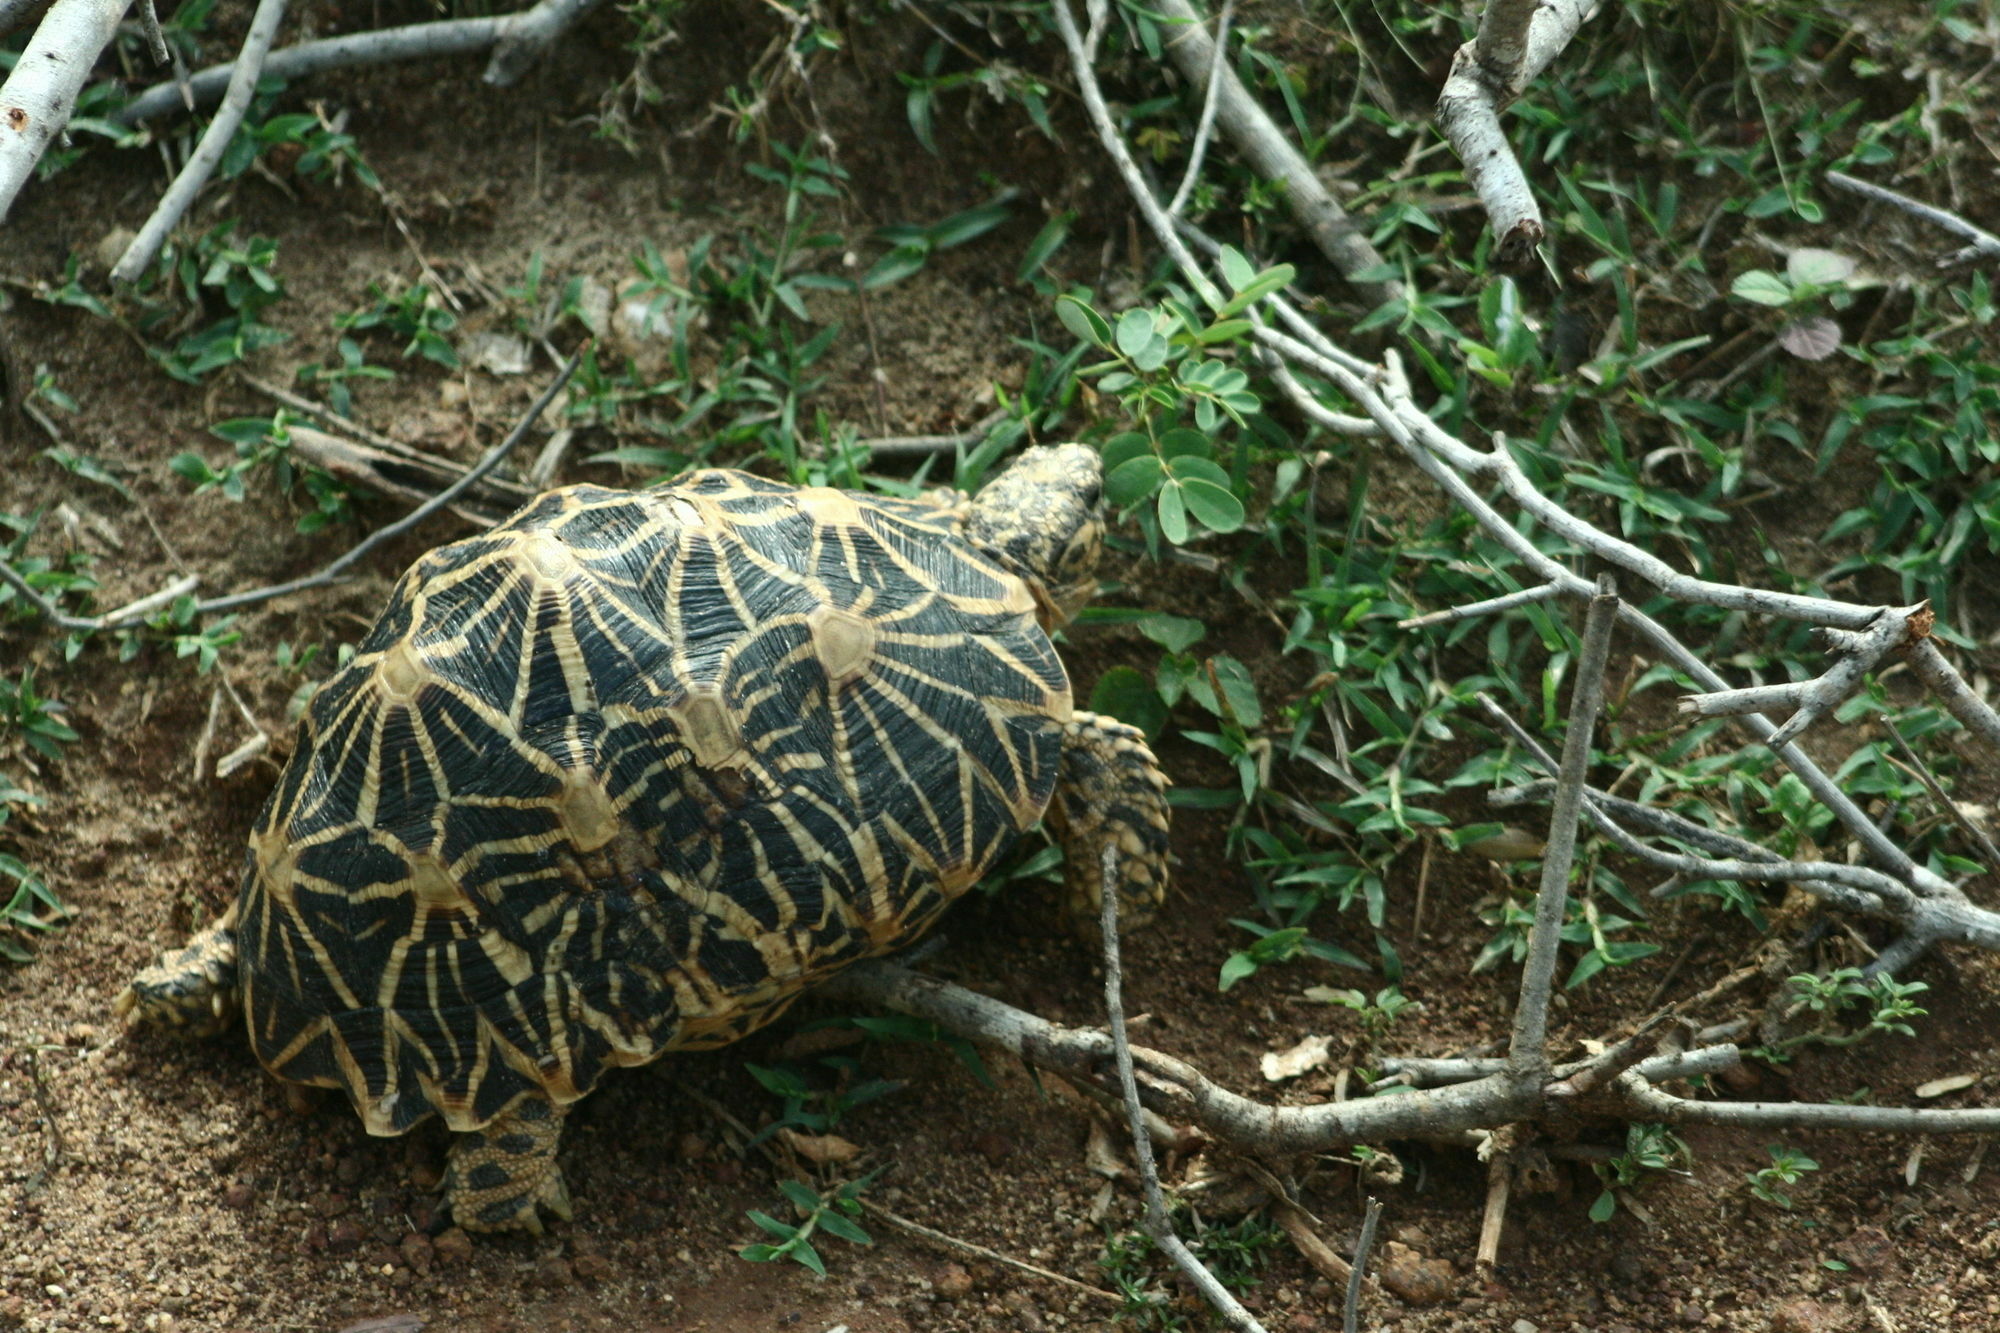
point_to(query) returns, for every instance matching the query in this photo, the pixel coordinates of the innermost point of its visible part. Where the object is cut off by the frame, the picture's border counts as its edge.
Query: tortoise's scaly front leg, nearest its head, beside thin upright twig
(1111, 794)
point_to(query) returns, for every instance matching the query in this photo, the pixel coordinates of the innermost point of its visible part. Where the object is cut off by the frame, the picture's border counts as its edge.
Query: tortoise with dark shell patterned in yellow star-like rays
(631, 772)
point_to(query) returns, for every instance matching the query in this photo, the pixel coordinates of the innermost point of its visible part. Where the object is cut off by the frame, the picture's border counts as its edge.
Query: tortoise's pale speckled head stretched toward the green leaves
(1041, 519)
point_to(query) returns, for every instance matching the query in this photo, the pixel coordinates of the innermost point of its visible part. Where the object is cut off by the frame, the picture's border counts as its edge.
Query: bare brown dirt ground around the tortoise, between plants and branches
(163, 1186)
